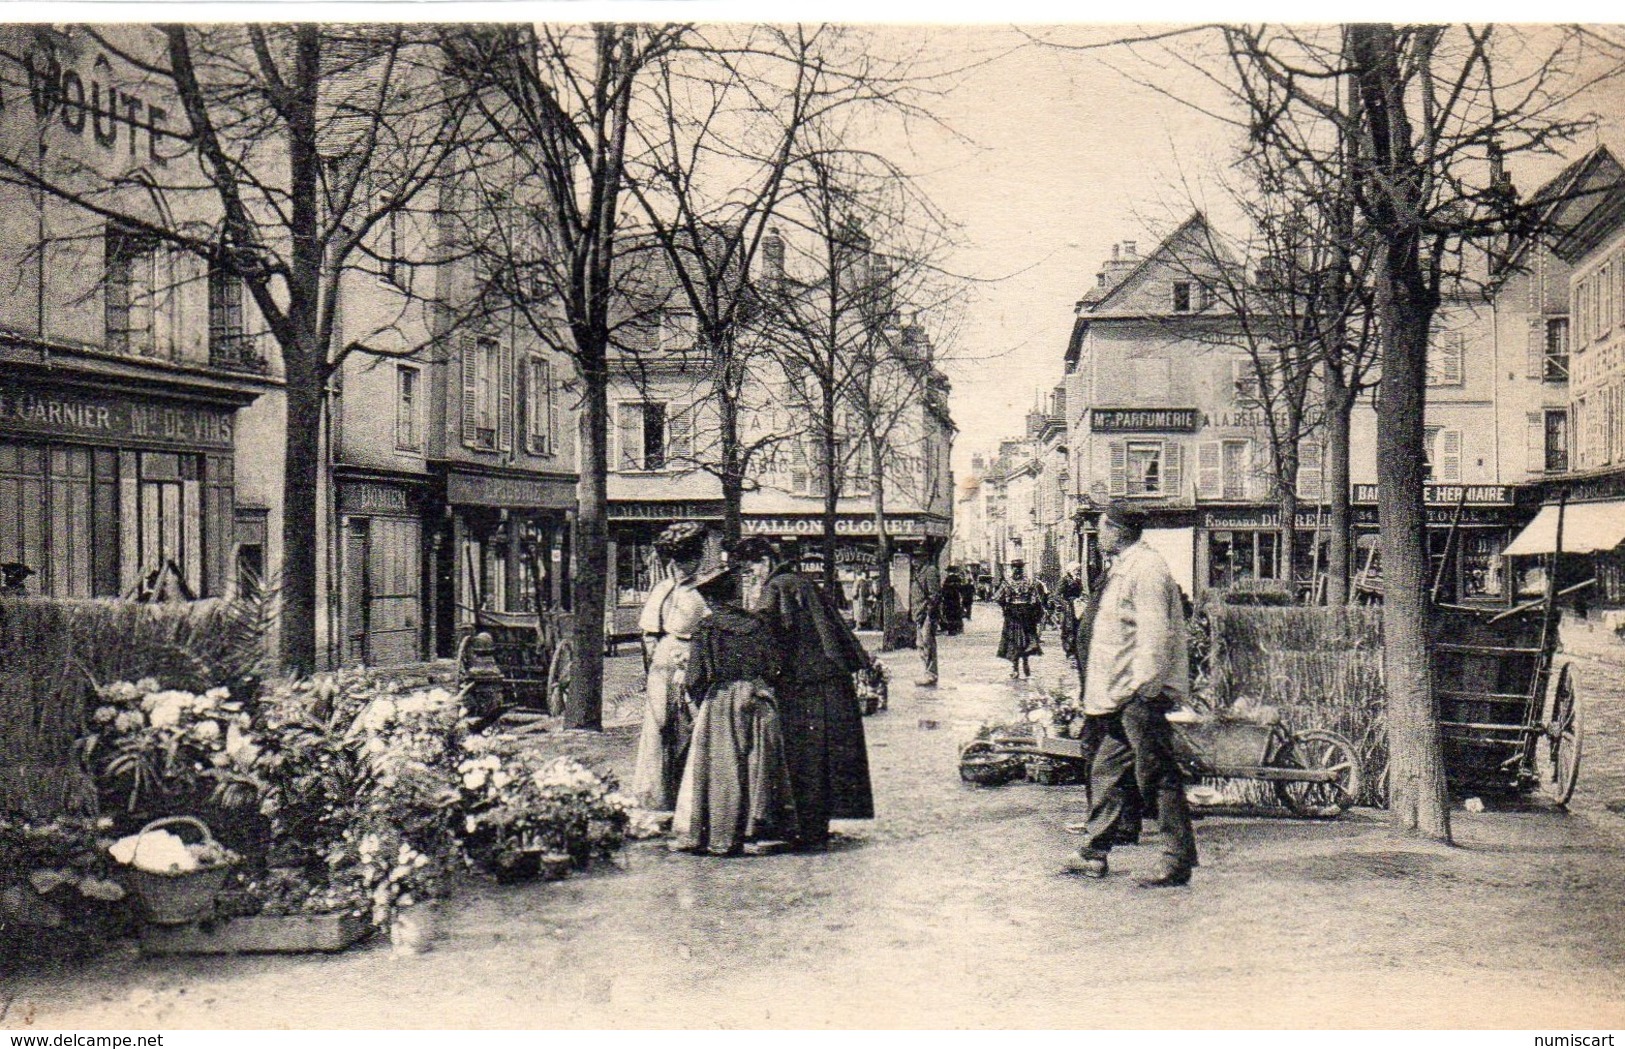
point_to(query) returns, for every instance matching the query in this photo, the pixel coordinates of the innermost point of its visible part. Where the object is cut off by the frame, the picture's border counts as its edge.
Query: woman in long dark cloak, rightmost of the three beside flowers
(818, 701)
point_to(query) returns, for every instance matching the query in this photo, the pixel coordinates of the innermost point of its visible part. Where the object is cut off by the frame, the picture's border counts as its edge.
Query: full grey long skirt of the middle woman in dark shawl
(735, 784)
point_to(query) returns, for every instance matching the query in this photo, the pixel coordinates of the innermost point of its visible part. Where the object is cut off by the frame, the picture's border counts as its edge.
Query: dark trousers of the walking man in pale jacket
(1137, 758)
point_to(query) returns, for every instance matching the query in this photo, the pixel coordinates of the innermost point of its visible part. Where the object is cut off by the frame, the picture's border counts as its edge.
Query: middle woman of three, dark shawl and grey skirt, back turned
(737, 795)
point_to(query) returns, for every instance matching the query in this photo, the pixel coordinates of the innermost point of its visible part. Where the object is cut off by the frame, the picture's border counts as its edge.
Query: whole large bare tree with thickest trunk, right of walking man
(1406, 116)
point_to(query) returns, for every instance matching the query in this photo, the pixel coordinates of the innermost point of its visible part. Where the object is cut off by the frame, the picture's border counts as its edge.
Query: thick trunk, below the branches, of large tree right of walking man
(1416, 779)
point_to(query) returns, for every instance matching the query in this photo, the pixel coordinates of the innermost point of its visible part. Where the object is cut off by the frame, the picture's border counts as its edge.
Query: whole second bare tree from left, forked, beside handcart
(560, 103)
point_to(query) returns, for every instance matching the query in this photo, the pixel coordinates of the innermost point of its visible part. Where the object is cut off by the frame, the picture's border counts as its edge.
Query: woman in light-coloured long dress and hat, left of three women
(669, 623)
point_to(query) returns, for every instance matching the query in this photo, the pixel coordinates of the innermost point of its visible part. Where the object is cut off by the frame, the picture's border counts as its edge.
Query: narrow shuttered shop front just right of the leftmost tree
(381, 546)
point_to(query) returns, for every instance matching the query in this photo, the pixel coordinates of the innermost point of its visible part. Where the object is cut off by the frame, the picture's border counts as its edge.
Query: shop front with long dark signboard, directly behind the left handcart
(505, 546)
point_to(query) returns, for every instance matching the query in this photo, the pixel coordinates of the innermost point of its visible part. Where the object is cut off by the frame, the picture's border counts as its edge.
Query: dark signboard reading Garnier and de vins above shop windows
(93, 415)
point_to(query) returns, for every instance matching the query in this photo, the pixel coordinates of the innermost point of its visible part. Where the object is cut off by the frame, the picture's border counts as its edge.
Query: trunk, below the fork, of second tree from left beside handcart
(586, 709)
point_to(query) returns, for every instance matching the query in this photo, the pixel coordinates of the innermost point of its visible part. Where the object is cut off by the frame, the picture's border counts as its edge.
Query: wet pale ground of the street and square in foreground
(951, 910)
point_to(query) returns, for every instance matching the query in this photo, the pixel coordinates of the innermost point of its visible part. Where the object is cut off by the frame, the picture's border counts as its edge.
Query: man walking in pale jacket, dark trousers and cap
(1137, 673)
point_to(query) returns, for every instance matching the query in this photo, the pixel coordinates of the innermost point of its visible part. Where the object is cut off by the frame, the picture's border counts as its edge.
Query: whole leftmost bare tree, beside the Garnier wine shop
(292, 147)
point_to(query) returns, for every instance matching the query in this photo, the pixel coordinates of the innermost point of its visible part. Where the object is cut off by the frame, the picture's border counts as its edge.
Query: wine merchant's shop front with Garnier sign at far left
(113, 490)
